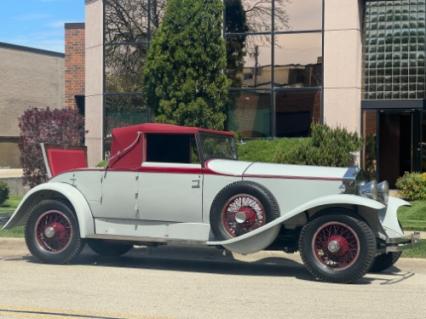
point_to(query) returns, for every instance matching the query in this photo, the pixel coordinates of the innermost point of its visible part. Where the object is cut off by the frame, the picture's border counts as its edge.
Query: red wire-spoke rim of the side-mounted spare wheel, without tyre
(243, 213)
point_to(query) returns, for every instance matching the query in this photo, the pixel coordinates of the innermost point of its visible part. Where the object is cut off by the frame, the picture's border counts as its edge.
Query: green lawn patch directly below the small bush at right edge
(414, 217)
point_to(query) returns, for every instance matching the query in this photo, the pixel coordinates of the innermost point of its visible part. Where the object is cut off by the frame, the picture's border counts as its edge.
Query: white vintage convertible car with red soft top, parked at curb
(167, 184)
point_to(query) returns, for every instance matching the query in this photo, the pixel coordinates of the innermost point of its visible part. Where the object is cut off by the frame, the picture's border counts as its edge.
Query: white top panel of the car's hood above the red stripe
(267, 170)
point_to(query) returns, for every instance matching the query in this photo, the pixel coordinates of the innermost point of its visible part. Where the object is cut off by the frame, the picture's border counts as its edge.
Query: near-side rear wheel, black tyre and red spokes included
(52, 234)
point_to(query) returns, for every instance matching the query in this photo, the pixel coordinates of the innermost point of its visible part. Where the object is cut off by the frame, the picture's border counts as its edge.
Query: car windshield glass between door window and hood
(216, 146)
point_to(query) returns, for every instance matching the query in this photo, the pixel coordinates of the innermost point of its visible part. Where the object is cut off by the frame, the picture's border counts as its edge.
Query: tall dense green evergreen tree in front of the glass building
(185, 80)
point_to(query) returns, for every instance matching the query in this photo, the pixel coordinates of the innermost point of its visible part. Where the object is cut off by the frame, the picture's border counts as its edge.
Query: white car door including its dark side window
(171, 180)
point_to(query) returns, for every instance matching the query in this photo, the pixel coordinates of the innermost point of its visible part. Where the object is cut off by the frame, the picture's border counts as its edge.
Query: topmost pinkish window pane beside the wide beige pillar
(298, 15)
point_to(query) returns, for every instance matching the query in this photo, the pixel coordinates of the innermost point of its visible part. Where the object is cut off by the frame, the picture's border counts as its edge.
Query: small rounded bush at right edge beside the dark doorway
(412, 186)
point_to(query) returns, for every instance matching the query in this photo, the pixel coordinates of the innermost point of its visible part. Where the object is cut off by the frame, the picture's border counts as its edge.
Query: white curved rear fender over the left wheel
(43, 191)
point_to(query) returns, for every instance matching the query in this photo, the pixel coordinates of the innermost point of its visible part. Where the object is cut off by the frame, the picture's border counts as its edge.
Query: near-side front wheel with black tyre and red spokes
(337, 248)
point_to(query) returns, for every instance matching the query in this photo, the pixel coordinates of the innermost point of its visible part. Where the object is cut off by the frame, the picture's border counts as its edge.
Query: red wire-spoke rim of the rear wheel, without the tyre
(53, 231)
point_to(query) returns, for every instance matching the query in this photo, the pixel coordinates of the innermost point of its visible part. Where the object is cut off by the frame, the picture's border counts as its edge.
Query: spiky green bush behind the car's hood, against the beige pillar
(326, 147)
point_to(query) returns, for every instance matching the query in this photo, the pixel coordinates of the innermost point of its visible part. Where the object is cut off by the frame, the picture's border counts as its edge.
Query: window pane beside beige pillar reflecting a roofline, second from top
(298, 60)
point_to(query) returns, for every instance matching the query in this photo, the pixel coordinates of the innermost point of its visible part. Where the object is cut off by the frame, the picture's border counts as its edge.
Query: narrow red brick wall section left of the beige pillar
(74, 63)
